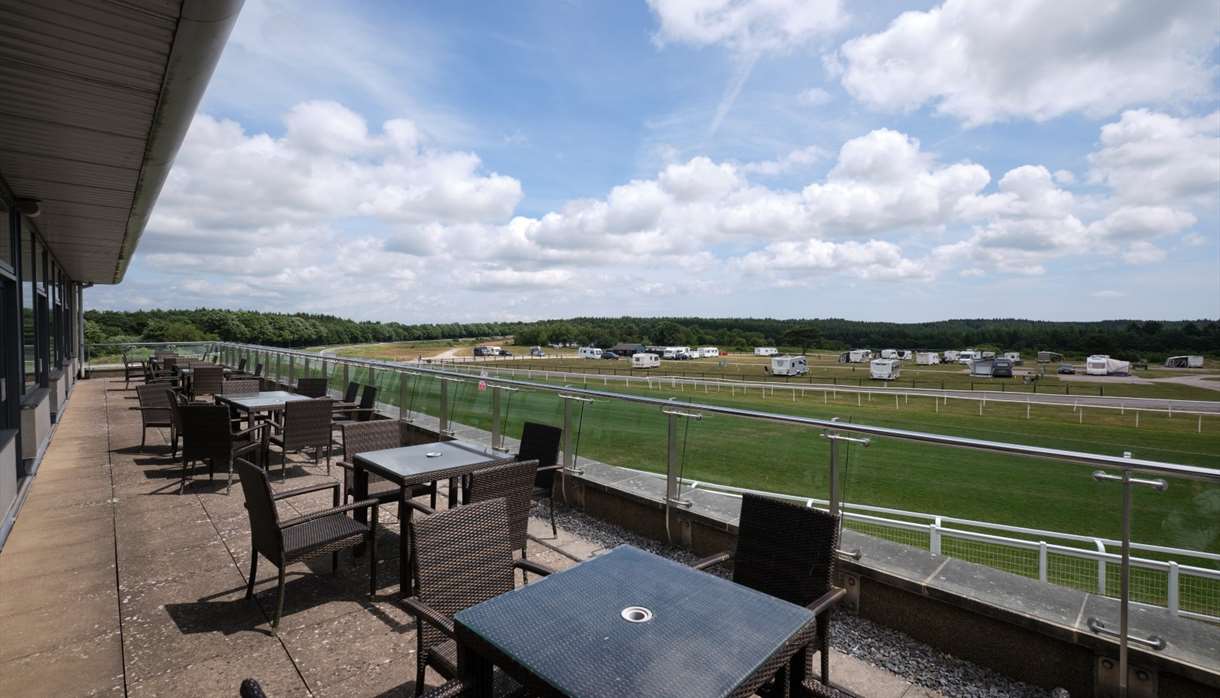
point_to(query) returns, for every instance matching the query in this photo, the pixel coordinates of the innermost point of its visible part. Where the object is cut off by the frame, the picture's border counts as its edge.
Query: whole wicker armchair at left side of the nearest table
(463, 558)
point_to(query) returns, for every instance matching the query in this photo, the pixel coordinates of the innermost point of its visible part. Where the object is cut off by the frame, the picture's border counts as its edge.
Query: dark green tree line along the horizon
(1122, 339)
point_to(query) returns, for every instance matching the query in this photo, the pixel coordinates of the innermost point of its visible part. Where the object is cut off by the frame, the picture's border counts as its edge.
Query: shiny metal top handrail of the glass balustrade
(1113, 462)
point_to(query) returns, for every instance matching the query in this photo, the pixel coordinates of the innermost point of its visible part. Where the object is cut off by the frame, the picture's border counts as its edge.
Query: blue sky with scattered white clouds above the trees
(529, 159)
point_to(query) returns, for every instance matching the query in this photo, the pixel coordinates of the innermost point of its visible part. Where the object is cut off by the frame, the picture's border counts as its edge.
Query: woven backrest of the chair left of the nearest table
(463, 558)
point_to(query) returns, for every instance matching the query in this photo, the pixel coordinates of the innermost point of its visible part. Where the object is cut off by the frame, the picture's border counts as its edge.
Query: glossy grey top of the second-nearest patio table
(417, 464)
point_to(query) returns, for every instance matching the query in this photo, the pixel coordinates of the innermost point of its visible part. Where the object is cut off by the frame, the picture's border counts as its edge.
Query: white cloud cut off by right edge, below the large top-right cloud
(1155, 158)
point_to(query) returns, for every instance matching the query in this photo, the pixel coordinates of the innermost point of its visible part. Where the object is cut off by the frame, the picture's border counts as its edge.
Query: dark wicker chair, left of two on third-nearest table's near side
(208, 435)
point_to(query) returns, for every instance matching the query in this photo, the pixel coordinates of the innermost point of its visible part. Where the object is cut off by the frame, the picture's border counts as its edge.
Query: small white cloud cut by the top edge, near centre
(747, 26)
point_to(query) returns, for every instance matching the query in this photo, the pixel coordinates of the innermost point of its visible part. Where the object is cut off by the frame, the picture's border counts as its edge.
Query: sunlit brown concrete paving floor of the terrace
(114, 584)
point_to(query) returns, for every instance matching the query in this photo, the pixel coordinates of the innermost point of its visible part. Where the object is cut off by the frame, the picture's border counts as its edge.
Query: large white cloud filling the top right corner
(1035, 59)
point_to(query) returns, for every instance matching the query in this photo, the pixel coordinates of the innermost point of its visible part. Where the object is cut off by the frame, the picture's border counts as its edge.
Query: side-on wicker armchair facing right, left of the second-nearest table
(304, 538)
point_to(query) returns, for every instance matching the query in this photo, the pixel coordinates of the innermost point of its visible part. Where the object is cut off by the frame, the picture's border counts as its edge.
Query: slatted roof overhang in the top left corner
(95, 104)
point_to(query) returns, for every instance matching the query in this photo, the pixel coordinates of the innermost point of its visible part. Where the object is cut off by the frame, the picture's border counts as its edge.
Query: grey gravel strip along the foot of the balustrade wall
(852, 635)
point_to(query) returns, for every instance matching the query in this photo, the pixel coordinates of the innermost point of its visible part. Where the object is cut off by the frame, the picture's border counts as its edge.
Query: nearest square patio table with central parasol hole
(567, 635)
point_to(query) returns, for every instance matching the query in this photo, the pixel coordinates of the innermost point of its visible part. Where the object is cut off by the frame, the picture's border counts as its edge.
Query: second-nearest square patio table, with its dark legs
(411, 466)
